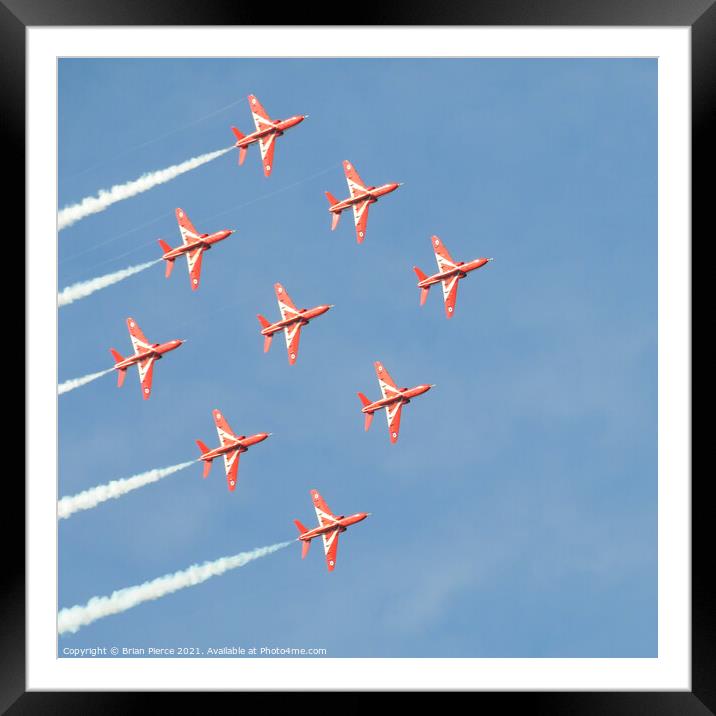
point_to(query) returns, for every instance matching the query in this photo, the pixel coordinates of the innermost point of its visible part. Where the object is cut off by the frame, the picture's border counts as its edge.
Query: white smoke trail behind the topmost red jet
(106, 197)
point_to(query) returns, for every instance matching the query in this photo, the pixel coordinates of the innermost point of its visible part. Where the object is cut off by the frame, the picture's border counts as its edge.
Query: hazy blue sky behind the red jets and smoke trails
(517, 514)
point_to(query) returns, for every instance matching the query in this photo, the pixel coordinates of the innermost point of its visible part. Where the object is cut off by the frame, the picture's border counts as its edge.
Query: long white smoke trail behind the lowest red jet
(71, 619)
